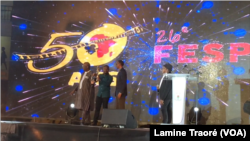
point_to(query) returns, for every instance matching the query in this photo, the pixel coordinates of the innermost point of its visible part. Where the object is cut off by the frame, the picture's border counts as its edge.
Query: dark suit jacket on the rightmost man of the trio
(121, 83)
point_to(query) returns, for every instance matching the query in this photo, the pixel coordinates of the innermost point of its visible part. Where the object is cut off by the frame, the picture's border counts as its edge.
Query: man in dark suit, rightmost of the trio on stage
(121, 85)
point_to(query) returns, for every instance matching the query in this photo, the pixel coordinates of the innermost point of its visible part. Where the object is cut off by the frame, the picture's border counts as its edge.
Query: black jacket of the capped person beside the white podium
(165, 90)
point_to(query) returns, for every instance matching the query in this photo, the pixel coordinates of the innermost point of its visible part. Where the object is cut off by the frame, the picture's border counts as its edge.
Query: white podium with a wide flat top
(179, 85)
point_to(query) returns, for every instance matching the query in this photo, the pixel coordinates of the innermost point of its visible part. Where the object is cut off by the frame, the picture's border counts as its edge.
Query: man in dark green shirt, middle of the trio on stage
(103, 94)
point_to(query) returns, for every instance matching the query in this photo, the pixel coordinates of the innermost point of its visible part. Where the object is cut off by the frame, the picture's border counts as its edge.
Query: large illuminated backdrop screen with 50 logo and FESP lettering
(51, 39)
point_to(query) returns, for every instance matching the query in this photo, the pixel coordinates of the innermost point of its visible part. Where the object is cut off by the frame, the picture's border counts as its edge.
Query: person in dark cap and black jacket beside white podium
(165, 92)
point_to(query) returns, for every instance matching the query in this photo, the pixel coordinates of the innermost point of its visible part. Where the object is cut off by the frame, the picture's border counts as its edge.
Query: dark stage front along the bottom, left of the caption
(24, 131)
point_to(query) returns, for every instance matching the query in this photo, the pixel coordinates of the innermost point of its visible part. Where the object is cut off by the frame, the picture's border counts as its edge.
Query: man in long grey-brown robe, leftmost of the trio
(85, 94)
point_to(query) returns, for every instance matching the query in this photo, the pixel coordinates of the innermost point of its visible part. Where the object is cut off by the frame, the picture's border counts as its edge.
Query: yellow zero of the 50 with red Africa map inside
(103, 40)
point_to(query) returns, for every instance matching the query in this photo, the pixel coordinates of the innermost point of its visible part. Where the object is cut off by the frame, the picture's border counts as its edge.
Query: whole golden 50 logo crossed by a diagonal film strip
(98, 47)
